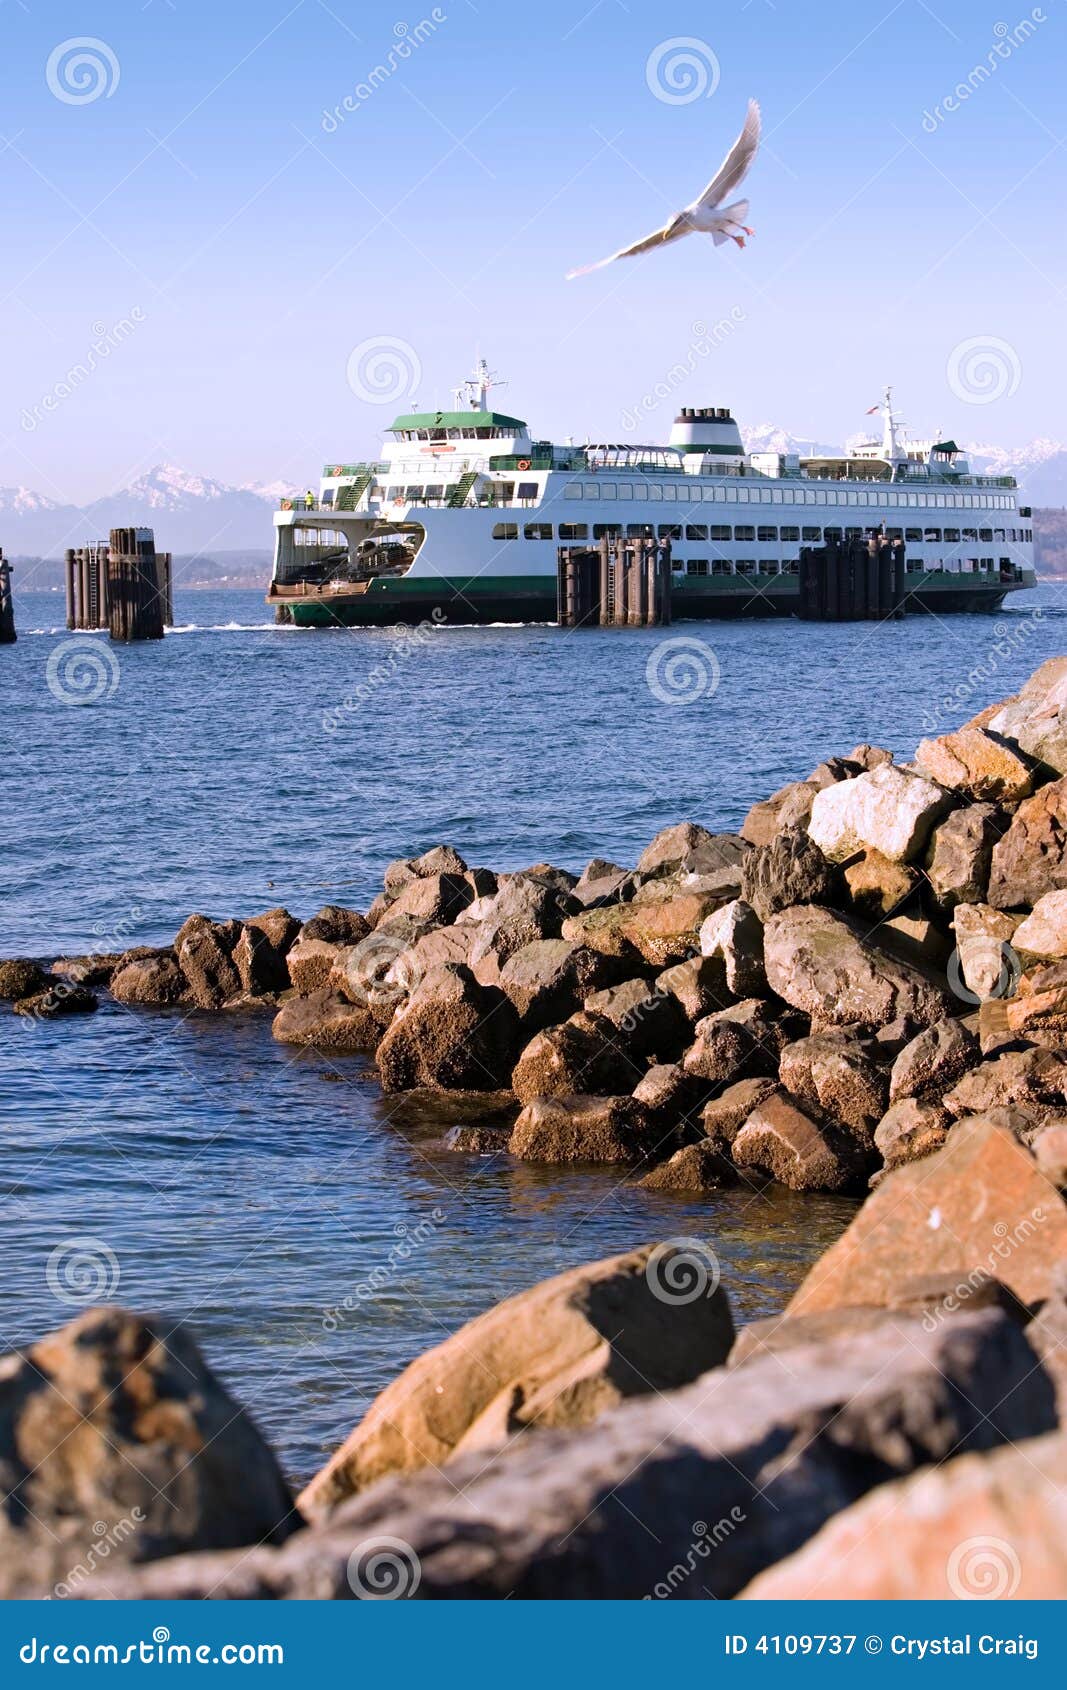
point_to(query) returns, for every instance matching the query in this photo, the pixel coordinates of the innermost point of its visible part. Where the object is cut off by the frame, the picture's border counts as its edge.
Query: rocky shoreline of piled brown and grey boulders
(863, 991)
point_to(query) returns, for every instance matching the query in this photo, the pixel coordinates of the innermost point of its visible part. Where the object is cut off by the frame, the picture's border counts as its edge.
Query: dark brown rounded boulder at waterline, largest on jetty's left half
(451, 1033)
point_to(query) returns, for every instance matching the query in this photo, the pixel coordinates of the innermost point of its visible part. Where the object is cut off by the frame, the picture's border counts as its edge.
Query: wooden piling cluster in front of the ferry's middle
(616, 584)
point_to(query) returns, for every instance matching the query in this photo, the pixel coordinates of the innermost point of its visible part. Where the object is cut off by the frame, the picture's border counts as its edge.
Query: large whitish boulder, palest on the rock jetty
(887, 810)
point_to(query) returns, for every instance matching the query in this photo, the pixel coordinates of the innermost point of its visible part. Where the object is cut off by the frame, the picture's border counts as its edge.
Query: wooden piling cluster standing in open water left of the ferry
(123, 587)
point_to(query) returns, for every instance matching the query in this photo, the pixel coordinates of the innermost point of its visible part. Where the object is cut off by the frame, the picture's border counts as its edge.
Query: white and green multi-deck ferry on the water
(466, 510)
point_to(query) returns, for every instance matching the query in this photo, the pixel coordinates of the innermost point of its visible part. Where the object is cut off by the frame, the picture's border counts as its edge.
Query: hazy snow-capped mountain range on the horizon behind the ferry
(199, 515)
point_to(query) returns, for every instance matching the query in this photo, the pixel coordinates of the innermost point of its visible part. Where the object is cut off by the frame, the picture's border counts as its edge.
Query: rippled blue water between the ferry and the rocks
(246, 1189)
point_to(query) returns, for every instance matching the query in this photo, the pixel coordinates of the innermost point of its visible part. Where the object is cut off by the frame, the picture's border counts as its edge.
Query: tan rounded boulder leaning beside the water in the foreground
(555, 1356)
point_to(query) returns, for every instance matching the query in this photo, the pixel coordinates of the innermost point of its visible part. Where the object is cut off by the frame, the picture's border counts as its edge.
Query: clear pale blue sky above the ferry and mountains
(258, 244)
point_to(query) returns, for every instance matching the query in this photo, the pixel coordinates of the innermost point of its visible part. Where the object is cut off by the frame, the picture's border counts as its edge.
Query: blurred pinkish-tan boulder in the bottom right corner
(982, 1527)
